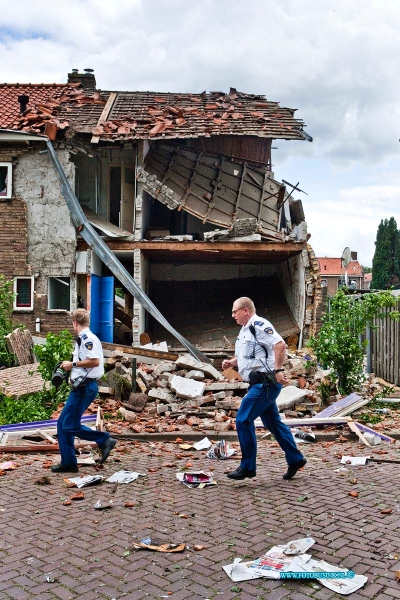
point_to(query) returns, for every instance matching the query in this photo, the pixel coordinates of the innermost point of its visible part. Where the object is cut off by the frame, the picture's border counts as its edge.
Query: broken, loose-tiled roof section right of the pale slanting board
(166, 115)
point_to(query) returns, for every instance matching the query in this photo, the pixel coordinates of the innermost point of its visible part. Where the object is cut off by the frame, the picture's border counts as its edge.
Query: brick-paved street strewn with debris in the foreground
(89, 552)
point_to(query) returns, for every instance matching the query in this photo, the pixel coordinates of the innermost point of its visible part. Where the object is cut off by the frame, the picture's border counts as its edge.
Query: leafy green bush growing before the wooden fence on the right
(338, 344)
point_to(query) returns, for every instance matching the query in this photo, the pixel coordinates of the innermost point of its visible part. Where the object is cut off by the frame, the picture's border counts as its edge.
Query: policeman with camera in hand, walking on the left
(86, 367)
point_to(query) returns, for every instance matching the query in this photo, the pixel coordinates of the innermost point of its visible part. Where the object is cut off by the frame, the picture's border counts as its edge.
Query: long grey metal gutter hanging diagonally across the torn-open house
(90, 236)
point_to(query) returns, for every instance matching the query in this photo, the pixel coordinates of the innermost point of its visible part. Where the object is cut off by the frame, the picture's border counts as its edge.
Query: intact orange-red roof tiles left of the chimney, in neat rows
(38, 94)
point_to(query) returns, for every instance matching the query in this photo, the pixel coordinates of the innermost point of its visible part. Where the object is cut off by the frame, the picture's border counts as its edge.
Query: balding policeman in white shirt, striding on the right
(259, 355)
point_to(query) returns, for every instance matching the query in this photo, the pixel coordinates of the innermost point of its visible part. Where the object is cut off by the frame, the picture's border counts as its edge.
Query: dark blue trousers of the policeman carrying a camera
(69, 423)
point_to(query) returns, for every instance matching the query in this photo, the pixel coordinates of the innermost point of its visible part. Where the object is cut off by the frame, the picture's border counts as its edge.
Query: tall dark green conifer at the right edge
(386, 261)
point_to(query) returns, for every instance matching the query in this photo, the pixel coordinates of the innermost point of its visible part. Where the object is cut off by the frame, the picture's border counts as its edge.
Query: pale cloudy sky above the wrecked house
(336, 61)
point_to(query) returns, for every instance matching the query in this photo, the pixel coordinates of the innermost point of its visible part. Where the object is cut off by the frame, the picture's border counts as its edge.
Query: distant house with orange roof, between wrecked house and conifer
(333, 274)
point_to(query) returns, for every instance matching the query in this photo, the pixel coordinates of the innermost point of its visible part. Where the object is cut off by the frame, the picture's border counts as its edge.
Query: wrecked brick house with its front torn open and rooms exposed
(180, 188)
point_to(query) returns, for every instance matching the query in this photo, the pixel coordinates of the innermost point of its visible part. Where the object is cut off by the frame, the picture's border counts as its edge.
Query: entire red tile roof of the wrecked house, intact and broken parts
(141, 115)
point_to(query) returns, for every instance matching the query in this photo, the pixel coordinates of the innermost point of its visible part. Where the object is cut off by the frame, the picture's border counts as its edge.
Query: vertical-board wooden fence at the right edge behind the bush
(384, 350)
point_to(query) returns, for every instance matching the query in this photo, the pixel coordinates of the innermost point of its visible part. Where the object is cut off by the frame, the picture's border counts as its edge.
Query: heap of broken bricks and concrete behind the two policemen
(190, 394)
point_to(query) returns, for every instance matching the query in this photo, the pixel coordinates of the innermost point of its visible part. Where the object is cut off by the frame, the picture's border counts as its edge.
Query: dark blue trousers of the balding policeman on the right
(261, 402)
